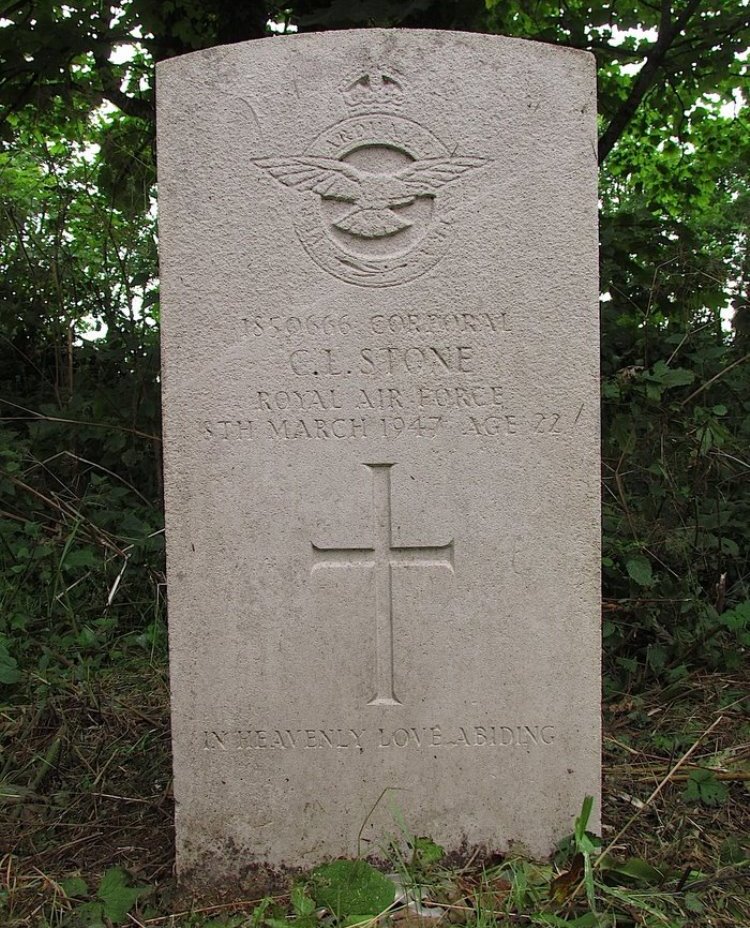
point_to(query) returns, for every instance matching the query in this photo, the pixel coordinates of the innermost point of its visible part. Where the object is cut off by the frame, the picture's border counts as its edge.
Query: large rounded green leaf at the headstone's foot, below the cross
(351, 887)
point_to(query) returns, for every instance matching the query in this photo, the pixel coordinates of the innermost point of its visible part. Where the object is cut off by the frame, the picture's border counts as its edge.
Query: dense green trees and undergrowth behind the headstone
(80, 497)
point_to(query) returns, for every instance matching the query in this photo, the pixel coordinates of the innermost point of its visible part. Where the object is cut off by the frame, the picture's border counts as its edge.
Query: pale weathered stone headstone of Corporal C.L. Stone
(381, 443)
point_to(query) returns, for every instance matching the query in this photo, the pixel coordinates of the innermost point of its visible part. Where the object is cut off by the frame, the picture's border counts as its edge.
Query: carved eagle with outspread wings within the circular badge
(374, 197)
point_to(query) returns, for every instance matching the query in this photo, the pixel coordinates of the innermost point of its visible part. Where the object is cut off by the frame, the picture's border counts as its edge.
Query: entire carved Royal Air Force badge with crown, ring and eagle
(375, 196)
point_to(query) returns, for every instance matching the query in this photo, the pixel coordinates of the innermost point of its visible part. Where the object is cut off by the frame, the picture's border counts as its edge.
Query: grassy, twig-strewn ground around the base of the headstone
(86, 828)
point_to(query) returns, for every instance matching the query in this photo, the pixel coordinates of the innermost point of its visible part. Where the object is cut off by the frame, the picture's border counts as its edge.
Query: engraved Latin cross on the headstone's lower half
(383, 556)
